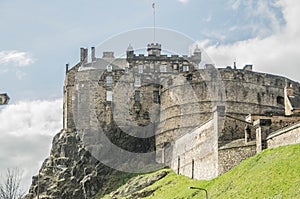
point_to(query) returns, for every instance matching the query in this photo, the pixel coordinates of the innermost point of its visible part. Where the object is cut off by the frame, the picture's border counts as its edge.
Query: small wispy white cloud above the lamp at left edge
(17, 58)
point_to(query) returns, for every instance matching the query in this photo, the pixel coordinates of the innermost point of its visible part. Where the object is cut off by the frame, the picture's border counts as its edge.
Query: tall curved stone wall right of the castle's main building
(189, 100)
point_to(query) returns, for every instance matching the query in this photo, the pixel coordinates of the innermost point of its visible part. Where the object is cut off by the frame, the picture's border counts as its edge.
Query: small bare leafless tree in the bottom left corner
(10, 185)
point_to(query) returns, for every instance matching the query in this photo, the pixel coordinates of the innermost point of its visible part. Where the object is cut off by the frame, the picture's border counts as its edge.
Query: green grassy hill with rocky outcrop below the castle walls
(274, 173)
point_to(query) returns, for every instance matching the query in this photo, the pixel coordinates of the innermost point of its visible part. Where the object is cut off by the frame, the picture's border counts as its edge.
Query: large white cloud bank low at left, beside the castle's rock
(27, 129)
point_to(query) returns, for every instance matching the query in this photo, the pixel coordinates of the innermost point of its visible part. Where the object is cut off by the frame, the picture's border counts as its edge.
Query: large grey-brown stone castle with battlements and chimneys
(200, 121)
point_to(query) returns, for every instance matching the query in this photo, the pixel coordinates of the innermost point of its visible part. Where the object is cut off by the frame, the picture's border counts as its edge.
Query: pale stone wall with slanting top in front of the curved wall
(195, 154)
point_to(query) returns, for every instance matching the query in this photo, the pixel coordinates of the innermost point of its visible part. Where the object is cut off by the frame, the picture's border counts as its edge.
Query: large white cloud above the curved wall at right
(278, 53)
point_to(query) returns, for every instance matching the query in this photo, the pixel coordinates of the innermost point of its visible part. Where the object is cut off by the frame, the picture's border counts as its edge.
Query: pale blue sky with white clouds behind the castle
(39, 37)
